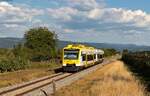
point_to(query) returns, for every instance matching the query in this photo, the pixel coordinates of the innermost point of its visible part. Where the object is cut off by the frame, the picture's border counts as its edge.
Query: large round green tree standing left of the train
(41, 42)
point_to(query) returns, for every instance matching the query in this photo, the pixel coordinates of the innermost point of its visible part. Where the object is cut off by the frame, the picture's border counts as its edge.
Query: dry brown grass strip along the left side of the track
(12, 78)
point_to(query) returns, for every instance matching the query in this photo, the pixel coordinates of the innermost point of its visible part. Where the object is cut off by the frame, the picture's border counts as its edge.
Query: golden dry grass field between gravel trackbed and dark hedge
(112, 80)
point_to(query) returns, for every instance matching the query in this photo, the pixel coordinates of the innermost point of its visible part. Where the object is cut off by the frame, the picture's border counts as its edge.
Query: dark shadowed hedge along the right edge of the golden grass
(139, 63)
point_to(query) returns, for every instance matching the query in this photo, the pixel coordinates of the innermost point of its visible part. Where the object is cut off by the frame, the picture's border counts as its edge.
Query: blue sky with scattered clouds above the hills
(99, 21)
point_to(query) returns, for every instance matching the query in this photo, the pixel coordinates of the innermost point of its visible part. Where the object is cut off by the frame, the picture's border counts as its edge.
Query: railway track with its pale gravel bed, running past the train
(48, 85)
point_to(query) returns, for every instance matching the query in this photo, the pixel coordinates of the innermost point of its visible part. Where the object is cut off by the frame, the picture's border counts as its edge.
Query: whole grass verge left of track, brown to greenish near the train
(36, 70)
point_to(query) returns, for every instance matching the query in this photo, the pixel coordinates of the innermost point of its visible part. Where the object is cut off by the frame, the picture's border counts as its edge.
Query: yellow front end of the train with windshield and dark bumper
(71, 58)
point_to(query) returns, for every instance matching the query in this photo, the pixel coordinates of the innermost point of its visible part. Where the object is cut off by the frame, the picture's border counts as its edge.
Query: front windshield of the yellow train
(71, 54)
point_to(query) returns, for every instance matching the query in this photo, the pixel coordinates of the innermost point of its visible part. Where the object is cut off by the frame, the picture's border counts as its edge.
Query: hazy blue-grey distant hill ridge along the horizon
(10, 42)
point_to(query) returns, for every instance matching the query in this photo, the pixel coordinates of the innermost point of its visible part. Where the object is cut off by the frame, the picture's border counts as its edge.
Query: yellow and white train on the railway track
(76, 57)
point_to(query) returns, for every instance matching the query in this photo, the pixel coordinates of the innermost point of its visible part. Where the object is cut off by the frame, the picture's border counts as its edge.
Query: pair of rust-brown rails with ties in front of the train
(31, 86)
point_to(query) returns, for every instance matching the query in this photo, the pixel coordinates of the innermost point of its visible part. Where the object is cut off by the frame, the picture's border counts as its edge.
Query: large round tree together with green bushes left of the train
(39, 46)
